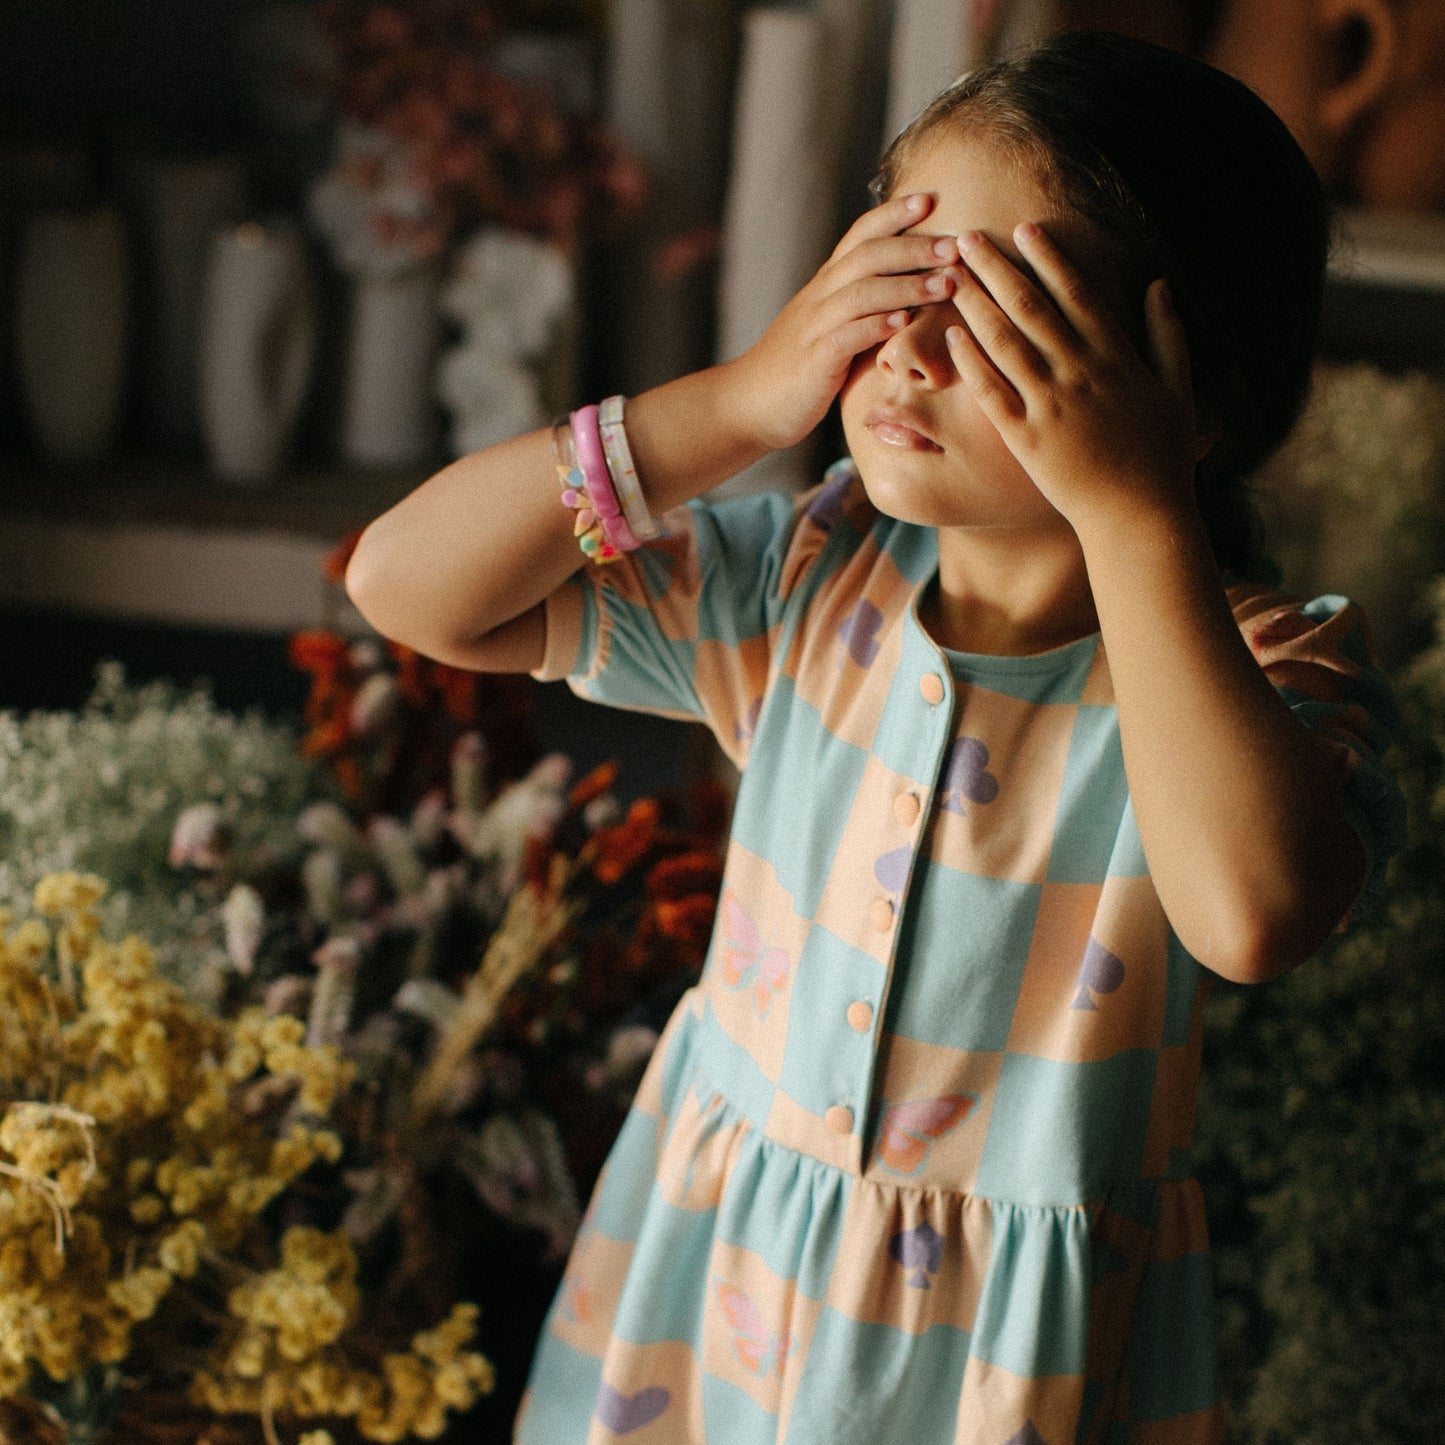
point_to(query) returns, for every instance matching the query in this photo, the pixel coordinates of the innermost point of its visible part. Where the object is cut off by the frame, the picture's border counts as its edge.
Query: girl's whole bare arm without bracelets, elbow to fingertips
(1241, 808)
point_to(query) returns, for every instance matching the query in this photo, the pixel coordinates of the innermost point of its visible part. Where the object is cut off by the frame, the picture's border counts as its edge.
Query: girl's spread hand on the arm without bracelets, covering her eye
(1093, 423)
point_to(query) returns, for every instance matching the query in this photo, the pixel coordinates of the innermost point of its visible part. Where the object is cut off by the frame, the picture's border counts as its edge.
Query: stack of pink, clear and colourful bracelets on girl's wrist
(600, 482)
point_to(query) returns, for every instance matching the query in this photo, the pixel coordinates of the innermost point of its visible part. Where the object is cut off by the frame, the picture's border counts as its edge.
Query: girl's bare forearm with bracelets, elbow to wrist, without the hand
(488, 538)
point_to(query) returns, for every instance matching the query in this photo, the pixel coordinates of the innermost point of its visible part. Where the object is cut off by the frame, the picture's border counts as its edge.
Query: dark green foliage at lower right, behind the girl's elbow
(1323, 1151)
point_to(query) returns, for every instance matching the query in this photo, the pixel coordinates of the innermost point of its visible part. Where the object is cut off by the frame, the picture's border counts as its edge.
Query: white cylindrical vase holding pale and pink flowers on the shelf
(389, 411)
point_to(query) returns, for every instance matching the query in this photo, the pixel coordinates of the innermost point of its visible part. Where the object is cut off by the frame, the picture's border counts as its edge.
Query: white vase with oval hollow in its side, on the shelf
(258, 348)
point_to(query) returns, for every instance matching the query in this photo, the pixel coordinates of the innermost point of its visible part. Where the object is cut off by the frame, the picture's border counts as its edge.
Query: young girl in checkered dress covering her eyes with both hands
(1025, 764)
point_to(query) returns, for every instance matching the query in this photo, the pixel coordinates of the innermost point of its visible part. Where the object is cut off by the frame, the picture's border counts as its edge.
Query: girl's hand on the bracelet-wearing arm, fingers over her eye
(859, 298)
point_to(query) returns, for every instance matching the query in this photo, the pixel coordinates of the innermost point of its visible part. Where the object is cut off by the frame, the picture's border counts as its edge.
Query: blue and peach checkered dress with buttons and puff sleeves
(910, 1164)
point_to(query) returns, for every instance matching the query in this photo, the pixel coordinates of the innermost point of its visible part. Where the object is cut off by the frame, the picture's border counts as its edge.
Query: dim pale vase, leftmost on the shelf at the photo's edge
(70, 332)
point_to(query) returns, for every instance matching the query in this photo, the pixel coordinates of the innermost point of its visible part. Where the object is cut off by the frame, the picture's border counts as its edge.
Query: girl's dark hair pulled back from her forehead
(1199, 181)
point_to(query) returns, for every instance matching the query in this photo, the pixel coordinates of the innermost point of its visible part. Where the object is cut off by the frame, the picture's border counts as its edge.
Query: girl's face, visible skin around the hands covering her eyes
(926, 452)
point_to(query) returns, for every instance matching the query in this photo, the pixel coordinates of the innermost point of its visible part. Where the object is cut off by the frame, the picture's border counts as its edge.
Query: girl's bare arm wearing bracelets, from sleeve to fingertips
(457, 569)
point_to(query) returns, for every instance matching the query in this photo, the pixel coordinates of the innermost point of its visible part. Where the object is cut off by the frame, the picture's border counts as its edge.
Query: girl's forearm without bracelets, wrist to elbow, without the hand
(1239, 806)
